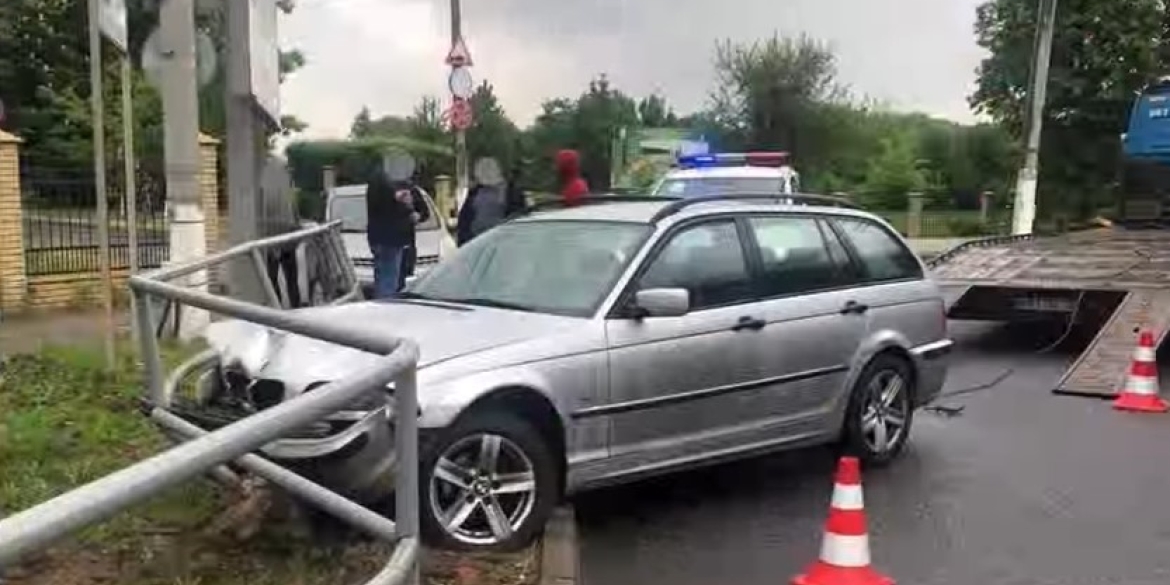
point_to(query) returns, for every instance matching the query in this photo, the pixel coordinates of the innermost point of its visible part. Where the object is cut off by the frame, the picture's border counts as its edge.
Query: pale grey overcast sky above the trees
(388, 54)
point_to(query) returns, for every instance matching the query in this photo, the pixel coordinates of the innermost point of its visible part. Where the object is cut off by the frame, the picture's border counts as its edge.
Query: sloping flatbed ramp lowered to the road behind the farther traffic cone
(1102, 369)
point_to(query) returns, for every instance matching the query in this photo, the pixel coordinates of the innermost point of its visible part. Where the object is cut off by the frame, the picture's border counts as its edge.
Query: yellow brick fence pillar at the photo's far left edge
(13, 279)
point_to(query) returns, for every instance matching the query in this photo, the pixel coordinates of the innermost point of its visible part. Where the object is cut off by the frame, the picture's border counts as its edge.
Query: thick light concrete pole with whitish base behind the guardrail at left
(181, 115)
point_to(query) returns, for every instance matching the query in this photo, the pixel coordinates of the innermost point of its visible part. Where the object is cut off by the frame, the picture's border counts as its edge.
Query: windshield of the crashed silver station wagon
(555, 267)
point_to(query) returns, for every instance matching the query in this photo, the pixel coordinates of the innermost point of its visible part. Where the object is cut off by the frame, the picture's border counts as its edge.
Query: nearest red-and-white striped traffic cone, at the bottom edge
(845, 552)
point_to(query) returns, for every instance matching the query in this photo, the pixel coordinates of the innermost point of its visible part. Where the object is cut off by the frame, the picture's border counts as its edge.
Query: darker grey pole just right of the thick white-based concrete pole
(243, 163)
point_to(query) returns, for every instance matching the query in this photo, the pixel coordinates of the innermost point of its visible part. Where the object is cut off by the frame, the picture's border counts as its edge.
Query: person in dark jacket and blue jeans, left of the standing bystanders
(395, 205)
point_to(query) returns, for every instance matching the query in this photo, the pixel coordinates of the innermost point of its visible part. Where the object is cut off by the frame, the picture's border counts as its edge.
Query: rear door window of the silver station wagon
(794, 256)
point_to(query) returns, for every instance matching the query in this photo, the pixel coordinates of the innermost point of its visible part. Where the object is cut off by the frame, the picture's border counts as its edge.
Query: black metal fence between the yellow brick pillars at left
(61, 228)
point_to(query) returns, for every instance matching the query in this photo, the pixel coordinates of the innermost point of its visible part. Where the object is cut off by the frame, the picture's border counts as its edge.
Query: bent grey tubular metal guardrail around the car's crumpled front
(208, 452)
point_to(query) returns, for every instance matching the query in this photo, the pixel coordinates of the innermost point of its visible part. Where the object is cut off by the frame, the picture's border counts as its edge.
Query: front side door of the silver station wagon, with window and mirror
(673, 380)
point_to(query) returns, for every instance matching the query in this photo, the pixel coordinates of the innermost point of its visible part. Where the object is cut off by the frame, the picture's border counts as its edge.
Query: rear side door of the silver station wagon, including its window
(815, 326)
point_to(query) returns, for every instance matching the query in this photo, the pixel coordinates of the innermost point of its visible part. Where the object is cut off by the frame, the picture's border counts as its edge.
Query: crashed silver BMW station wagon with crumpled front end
(582, 347)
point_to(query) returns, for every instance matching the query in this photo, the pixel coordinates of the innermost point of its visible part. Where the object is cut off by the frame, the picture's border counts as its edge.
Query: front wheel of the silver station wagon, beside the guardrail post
(470, 505)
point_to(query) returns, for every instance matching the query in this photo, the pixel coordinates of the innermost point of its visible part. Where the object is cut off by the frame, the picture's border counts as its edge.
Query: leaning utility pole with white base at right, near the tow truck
(1024, 211)
